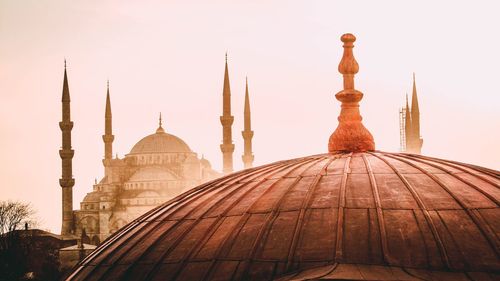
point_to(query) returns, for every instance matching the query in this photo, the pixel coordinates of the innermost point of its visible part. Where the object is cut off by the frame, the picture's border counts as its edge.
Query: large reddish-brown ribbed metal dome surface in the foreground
(370, 208)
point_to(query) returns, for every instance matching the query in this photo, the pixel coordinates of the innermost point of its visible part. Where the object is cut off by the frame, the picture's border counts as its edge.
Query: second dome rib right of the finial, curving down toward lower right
(442, 250)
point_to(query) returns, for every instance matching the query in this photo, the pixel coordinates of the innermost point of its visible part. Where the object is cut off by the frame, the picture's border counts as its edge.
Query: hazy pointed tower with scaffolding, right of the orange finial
(411, 119)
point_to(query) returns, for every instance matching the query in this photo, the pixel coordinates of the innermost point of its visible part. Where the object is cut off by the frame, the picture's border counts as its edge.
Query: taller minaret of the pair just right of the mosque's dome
(227, 146)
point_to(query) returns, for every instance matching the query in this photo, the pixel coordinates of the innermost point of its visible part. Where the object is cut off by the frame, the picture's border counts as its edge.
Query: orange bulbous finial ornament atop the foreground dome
(350, 135)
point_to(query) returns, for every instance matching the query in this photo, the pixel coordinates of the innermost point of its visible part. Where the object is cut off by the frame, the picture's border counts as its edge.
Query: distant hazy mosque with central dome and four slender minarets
(158, 167)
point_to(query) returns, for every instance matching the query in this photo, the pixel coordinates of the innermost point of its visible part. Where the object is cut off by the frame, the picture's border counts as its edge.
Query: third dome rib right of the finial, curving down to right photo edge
(484, 228)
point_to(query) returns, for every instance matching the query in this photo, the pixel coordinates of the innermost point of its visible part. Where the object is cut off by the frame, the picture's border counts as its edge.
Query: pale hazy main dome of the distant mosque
(160, 142)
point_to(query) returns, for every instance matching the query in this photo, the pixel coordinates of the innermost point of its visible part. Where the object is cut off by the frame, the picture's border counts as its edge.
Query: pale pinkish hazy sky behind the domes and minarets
(168, 56)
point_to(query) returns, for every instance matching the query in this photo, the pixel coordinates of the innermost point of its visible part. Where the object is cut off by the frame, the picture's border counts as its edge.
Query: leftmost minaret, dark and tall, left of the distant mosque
(66, 182)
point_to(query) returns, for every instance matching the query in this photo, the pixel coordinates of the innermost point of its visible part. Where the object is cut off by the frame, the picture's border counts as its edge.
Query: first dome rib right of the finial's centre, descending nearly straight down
(380, 216)
